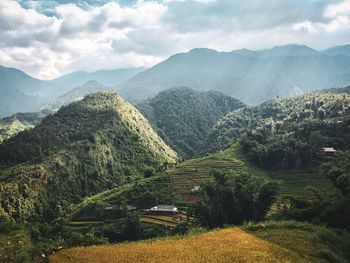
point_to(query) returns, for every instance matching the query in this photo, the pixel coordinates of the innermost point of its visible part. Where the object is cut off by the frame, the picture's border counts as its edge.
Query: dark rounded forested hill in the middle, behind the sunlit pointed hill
(184, 117)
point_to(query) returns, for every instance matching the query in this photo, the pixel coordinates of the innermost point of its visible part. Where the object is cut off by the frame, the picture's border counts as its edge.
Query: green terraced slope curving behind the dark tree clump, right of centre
(196, 171)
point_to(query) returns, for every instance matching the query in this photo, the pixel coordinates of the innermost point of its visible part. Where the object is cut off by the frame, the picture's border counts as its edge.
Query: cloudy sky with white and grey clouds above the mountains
(48, 38)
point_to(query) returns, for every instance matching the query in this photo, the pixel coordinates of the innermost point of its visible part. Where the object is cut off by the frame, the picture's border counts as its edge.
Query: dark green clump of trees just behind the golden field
(234, 198)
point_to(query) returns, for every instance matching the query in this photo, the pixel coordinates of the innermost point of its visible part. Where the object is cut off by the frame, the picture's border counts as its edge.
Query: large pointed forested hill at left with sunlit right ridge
(86, 147)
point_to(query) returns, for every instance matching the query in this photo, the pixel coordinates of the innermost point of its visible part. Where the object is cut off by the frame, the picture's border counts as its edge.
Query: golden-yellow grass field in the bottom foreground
(227, 245)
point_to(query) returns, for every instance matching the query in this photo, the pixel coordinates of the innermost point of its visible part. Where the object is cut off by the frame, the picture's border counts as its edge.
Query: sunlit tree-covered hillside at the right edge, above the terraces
(288, 133)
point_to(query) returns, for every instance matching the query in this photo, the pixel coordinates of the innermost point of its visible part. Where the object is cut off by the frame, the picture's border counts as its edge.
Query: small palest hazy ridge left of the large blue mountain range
(109, 78)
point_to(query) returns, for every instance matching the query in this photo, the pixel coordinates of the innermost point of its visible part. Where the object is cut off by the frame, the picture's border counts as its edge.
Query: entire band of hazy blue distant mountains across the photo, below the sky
(250, 76)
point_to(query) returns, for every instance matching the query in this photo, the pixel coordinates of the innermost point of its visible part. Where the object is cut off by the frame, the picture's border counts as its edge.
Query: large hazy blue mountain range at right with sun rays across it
(251, 76)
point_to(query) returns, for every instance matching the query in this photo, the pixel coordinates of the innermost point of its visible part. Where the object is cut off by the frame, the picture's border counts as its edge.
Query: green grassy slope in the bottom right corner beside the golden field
(314, 243)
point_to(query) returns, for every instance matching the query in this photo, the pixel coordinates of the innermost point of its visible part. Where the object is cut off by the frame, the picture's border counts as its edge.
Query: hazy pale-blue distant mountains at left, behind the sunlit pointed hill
(20, 92)
